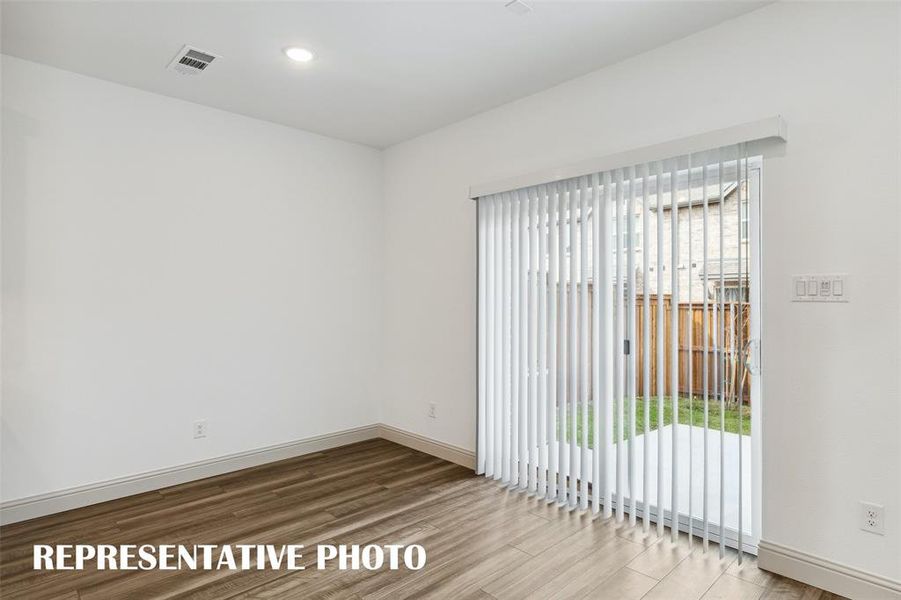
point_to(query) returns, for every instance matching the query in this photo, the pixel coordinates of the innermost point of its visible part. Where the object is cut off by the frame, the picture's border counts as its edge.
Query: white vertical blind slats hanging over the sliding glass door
(583, 285)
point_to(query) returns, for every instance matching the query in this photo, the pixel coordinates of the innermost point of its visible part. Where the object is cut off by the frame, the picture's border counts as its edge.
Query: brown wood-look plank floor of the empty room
(482, 541)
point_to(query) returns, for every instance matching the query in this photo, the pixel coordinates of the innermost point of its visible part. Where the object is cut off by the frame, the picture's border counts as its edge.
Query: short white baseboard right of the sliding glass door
(826, 574)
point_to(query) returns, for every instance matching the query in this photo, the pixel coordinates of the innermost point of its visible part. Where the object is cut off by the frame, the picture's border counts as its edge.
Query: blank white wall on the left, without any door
(165, 262)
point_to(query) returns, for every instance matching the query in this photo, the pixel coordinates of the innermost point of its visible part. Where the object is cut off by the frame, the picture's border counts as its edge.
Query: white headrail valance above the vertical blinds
(757, 135)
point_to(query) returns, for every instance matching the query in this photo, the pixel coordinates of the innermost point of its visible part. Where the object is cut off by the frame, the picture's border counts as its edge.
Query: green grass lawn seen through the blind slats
(686, 416)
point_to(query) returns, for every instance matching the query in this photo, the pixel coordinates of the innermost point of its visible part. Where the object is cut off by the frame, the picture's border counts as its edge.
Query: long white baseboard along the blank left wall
(54, 502)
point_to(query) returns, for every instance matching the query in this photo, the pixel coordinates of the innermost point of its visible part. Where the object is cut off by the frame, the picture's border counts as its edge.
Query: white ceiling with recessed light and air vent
(384, 72)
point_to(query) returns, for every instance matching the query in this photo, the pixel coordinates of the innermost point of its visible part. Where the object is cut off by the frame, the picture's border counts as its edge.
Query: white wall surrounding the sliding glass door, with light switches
(832, 414)
